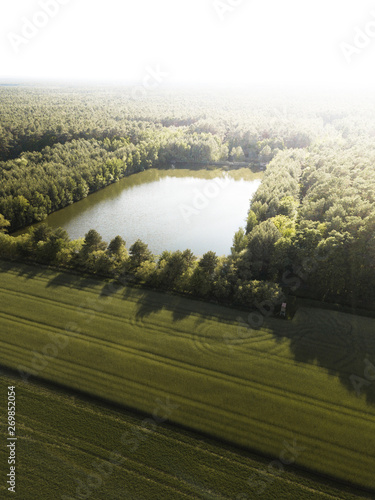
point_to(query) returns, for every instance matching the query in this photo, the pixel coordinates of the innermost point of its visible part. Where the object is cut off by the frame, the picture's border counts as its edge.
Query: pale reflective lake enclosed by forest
(167, 209)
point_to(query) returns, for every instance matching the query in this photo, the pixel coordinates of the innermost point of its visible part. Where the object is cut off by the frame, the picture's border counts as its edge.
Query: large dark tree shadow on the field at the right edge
(341, 343)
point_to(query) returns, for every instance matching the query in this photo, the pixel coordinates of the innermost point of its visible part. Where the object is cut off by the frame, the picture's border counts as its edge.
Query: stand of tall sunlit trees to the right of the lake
(322, 204)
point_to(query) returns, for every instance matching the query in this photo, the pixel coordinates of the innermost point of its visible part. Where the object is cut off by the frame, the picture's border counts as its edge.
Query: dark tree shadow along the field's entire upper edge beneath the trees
(341, 343)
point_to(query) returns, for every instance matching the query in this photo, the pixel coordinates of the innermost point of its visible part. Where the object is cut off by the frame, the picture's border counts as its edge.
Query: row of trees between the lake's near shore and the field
(209, 277)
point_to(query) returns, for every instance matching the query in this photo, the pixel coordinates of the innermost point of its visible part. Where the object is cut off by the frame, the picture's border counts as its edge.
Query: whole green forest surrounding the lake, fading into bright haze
(310, 225)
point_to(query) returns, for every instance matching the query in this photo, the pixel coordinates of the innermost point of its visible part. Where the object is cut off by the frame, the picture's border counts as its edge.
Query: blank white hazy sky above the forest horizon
(190, 41)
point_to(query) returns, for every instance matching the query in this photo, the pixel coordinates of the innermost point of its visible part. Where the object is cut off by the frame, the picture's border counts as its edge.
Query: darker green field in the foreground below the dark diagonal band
(66, 444)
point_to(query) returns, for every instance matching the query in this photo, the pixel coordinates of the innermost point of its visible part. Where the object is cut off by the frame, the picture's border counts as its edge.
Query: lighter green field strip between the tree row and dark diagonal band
(257, 389)
